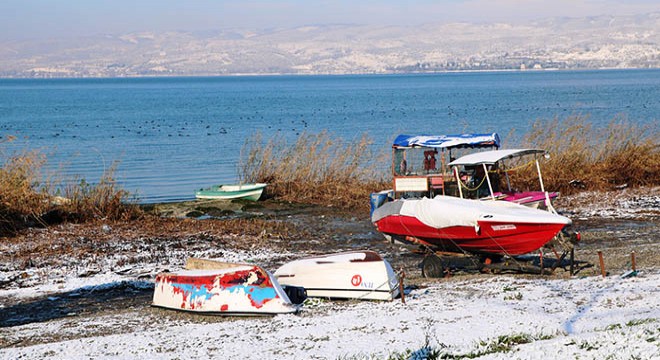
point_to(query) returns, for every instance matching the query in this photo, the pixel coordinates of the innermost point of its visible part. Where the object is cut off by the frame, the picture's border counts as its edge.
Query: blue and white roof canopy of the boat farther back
(447, 141)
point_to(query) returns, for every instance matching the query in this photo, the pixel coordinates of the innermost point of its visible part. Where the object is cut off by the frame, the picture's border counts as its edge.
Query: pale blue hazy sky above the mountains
(20, 19)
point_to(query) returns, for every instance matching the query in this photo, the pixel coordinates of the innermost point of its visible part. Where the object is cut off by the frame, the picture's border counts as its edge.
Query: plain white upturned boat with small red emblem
(349, 275)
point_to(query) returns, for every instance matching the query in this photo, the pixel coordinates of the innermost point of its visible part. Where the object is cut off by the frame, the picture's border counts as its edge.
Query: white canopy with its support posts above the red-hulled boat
(485, 169)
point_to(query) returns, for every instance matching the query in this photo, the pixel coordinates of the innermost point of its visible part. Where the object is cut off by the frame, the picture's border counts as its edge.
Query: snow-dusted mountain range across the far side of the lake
(556, 43)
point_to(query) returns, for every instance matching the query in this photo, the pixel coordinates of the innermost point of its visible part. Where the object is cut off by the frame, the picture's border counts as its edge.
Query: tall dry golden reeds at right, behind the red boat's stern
(586, 158)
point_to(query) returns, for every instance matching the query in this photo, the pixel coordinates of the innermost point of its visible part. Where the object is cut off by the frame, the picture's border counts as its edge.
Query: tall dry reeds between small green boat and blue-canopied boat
(316, 169)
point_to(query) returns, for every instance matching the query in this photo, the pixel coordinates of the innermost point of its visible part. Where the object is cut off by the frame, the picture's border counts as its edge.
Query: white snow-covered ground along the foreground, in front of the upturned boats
(591, 317)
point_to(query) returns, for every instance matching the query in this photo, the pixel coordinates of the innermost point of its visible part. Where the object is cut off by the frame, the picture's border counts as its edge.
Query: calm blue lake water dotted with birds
(171, 136)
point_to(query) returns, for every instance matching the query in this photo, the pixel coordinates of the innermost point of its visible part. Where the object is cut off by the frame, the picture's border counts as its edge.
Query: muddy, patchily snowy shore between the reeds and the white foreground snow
(134, 252)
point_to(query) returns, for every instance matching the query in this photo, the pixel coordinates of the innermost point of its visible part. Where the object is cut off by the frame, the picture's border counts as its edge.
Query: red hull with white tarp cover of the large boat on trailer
(465, 225)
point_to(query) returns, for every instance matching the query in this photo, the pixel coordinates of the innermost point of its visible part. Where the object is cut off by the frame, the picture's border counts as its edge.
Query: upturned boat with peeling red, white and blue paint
(207, 286)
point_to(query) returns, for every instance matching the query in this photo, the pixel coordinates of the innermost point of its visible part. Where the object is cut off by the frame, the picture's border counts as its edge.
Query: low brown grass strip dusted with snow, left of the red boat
(159, 234)
